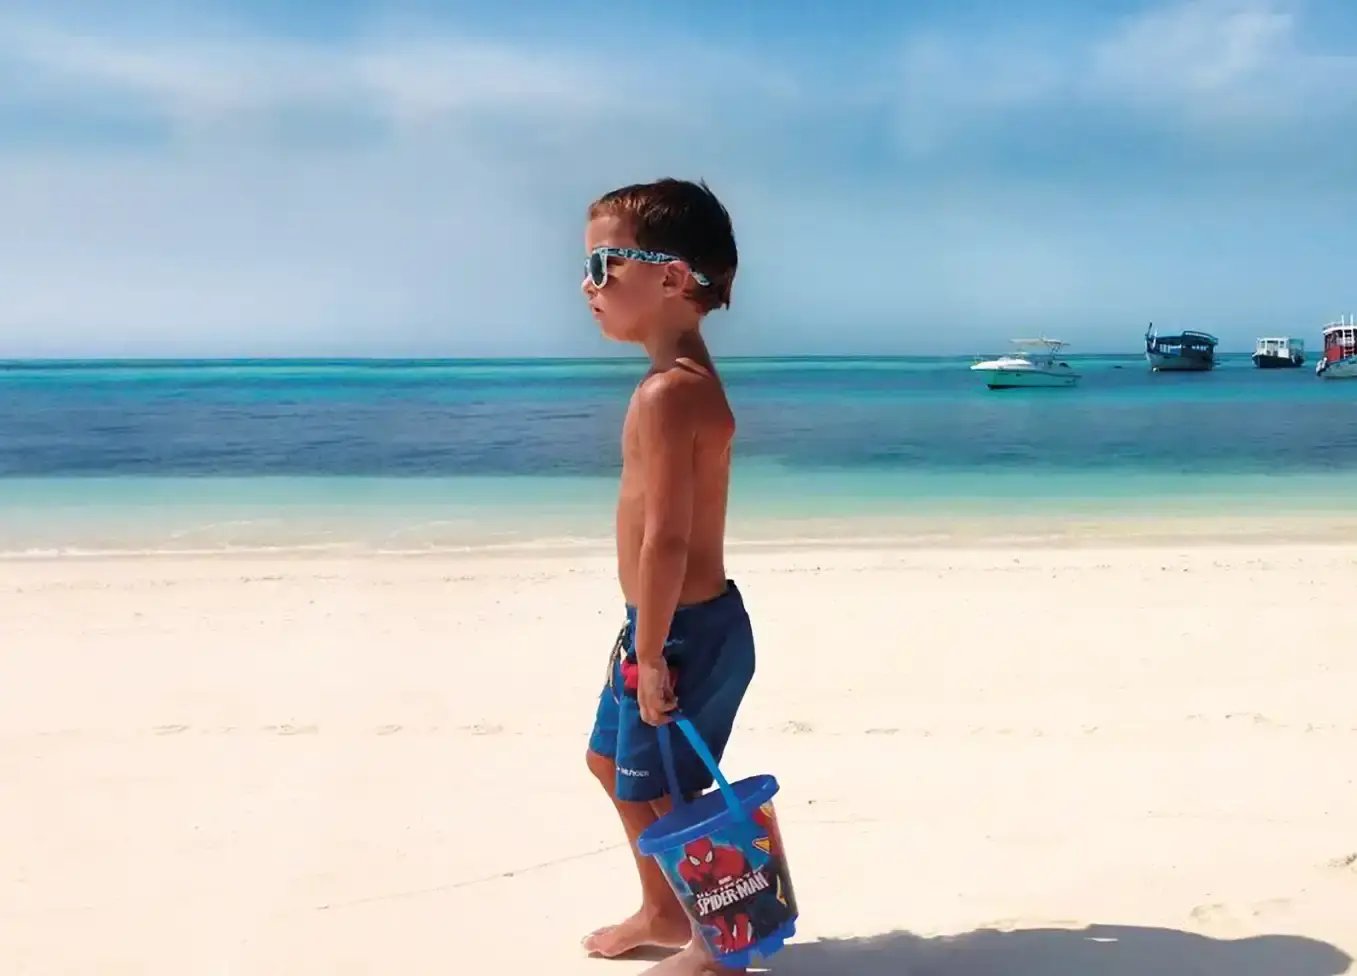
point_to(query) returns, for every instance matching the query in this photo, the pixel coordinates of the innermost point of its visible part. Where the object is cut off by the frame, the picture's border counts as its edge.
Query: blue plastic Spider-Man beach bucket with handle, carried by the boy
(724, 857)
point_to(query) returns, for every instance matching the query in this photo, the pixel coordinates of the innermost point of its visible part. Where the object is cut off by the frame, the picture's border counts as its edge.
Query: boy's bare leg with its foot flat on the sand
(662, 920)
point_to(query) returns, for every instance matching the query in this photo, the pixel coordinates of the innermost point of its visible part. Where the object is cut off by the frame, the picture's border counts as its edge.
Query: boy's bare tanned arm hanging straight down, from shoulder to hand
(668, 440)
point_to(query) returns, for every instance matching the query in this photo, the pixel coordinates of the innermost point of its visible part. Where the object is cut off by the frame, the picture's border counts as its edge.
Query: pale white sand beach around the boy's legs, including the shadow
(375, 766)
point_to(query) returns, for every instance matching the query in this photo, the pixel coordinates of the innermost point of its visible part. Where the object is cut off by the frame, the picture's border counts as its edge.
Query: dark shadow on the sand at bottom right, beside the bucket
(1097, 951)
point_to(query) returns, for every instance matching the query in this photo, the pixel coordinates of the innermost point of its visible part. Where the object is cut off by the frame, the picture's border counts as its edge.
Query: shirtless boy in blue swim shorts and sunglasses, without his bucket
(662, 256)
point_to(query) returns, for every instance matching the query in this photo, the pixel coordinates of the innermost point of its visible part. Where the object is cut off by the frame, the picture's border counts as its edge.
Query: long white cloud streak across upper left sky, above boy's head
(401, 79)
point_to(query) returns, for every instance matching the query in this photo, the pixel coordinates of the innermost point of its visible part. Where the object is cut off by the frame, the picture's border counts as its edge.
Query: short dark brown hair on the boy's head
(685, 219)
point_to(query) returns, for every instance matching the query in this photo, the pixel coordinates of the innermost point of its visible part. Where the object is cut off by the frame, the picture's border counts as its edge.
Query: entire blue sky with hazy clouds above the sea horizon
(344, 179)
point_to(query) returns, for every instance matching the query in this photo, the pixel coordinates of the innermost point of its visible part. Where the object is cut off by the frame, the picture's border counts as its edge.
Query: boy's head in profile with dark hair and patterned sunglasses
(659, 253)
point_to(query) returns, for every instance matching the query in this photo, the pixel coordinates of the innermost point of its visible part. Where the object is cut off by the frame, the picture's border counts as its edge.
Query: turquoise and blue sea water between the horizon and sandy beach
(416, 455)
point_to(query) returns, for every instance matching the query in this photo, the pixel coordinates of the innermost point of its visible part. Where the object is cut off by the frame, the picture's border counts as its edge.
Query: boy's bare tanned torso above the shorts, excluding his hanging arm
(705, 576)
